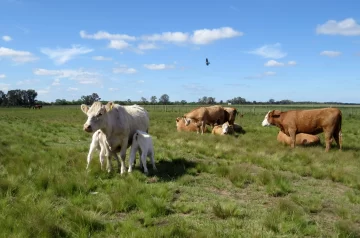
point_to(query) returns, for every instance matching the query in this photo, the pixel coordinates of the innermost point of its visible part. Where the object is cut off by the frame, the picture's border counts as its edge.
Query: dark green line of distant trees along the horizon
(28, 97)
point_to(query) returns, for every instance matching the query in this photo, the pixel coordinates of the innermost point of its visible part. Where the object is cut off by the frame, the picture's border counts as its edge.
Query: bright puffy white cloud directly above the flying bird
(206, 36)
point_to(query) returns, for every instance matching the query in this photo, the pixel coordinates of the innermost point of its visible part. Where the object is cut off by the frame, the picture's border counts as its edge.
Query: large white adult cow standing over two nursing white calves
(118, 123)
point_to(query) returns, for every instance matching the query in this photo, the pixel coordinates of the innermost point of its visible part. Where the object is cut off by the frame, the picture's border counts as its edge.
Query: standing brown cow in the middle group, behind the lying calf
(203, 116)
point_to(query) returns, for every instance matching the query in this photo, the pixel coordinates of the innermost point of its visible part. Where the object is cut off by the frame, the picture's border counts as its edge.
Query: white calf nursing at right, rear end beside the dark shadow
(143, 142)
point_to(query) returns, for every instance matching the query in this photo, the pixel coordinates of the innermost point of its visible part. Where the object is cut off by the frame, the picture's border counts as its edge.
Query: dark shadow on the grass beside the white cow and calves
(168, 170)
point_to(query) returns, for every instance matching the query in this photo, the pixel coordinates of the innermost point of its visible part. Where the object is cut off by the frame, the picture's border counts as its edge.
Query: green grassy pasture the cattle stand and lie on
(245, 185)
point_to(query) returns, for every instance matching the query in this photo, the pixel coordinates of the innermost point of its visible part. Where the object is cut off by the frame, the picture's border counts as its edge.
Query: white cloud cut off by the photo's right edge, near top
(347, 27)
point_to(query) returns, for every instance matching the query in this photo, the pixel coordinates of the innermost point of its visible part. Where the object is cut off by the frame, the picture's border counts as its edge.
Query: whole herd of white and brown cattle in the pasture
(118, 127)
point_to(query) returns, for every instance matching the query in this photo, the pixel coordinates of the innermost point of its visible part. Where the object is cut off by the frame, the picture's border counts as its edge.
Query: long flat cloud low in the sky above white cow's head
(81, 76)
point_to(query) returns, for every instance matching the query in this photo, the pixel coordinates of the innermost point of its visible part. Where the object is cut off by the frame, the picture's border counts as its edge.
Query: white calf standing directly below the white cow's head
(99, 143)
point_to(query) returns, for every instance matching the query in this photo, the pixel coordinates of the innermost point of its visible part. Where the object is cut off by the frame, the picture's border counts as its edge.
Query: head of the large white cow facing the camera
(97, 117)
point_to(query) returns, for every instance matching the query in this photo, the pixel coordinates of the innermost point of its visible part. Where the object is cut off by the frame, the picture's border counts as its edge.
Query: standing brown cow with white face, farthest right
(314, 121)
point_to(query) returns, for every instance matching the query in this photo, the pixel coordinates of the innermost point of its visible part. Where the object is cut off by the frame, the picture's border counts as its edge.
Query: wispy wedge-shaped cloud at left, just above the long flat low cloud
(61, 55)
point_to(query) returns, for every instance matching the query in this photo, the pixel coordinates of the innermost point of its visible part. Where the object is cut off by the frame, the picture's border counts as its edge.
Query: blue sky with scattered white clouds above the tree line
(258, 49)
